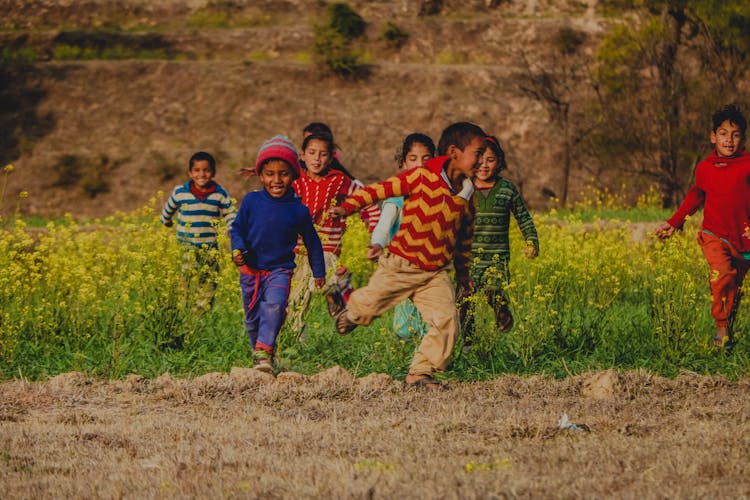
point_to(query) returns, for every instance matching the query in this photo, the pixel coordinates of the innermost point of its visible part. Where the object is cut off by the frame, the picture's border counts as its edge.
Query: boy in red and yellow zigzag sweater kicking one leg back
(434, 237)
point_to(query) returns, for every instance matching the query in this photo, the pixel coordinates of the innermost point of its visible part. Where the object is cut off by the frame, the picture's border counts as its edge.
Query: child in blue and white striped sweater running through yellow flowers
(199, 204)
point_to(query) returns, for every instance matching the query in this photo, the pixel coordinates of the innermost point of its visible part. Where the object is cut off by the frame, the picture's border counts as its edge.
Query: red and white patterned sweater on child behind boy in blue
(319, 196)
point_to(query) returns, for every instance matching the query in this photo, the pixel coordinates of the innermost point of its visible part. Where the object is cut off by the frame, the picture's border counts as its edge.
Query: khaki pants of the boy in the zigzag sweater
(396, 279)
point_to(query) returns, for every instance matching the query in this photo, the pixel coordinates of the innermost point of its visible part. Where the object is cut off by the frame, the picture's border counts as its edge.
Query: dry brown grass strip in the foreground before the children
(248, 435)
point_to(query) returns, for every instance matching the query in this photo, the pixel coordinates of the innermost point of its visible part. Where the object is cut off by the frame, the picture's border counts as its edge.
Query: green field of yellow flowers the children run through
(112, 297)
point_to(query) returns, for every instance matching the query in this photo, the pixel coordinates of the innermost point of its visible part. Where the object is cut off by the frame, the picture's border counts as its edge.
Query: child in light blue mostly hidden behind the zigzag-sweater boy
(416, 150)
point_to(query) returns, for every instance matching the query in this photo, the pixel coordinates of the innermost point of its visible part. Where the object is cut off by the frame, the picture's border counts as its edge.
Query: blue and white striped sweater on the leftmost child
(196, 218)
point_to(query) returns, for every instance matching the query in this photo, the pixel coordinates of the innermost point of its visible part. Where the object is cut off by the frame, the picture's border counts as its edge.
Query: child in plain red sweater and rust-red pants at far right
(721, 186)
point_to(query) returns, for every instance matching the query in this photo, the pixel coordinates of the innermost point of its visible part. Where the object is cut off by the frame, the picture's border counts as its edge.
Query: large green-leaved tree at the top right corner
(659, 77)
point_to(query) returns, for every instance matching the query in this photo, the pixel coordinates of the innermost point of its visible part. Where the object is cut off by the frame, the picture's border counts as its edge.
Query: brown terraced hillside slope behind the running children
(129, 126)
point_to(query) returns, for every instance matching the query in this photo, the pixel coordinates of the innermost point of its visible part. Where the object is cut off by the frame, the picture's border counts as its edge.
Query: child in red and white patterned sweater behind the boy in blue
(319, 187)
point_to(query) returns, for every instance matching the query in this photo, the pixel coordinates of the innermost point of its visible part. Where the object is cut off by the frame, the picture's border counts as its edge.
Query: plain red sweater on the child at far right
(722, 185)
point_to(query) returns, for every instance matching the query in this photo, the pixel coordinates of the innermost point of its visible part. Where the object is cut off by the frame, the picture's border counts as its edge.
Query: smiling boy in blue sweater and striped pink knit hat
(264, 235)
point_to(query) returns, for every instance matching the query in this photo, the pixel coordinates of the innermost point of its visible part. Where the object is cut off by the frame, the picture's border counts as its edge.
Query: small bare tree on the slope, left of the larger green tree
(560, 90)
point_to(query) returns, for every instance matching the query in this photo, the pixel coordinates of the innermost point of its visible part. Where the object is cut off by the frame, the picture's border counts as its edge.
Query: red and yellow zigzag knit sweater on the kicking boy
(437, 225)
